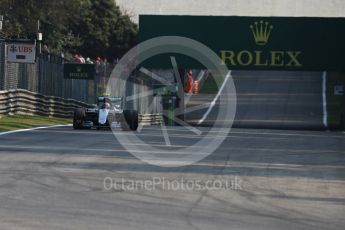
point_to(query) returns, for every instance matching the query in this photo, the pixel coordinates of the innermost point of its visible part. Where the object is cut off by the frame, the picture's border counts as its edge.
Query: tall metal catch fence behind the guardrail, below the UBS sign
(44, 77)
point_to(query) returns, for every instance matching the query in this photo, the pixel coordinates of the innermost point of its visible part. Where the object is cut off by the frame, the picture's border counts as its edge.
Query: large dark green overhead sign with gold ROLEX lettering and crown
(258, 43)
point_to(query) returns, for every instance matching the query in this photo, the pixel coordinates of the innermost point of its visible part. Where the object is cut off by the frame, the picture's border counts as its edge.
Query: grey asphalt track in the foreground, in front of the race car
(54, 179)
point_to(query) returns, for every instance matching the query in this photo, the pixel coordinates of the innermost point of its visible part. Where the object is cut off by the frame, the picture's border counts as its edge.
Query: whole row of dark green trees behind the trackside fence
(90, 27)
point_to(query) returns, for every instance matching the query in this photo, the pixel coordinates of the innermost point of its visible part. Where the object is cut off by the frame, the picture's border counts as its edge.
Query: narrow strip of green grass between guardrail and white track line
(14, 122)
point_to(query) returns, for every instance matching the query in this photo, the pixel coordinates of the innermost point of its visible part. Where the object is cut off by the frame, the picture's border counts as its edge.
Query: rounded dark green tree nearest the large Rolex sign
(106, 30)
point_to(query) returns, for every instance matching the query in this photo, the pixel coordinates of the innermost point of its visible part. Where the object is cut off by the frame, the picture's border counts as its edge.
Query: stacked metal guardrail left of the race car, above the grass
(20, 101)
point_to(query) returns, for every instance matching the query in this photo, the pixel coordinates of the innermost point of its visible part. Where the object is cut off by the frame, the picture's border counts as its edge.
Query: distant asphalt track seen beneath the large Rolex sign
(271, 99)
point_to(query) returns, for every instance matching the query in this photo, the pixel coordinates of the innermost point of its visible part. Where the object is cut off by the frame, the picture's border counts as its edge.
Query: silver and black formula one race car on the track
(107, 113)
